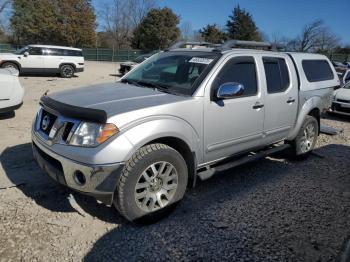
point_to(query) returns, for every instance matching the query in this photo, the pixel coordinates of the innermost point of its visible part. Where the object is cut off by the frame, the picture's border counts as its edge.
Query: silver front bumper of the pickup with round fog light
(100, 180)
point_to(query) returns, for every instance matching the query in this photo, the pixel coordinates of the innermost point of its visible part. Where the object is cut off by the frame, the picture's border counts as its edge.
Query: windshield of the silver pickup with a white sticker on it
(176, 72)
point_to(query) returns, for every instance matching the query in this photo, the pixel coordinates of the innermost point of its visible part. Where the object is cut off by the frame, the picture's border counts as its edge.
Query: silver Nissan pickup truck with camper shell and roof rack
(183, 114)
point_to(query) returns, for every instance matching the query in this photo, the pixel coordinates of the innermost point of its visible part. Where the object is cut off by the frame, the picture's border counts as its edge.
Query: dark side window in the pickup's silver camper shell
(317, 70)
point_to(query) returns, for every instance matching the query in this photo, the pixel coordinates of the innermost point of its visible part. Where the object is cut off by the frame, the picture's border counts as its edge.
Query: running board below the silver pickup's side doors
(253, 156)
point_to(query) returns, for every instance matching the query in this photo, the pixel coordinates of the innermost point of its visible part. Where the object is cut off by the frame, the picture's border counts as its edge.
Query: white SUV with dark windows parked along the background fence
(45, 59)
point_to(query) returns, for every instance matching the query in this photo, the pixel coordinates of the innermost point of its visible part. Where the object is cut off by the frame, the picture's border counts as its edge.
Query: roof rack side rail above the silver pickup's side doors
(253, 44)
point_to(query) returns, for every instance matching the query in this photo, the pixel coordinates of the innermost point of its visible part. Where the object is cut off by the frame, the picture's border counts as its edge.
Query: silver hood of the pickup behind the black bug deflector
(115, 98)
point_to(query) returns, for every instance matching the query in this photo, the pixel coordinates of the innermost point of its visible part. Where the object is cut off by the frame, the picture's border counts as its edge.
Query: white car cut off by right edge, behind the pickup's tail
(341, 100)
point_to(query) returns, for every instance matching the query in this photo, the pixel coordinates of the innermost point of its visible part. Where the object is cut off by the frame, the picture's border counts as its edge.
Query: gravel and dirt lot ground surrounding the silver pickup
(271, 210)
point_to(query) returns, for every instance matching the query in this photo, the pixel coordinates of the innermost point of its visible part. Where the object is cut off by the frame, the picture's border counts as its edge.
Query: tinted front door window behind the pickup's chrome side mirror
(241, 70)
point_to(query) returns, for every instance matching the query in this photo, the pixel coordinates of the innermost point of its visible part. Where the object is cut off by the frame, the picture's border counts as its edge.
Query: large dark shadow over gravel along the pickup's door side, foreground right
(236, 213)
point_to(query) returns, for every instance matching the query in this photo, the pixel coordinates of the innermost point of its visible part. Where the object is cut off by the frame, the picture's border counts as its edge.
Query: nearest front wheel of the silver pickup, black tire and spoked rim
(126, 200)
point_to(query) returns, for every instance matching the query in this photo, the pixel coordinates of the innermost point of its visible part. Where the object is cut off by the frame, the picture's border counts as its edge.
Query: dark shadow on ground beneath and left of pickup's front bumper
(23, 172)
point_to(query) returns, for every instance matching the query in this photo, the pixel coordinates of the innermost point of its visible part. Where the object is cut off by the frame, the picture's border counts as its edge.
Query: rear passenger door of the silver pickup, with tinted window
(281, 97)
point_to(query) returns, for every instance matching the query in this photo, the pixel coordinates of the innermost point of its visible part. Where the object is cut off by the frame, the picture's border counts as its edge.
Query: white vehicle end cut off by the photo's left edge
(11, 91)
